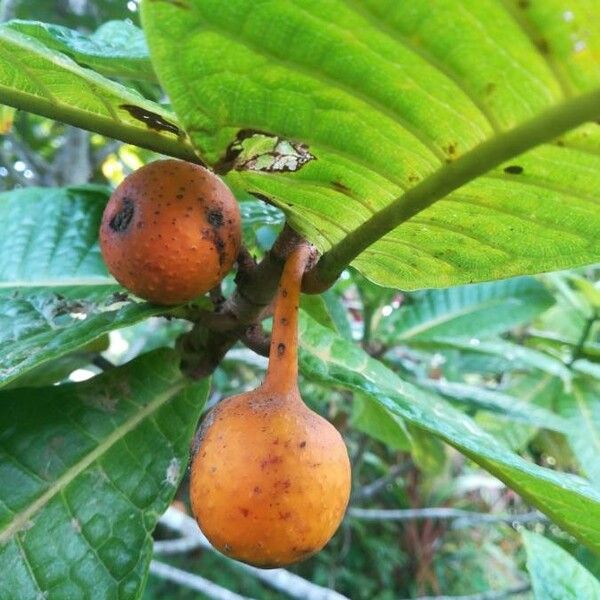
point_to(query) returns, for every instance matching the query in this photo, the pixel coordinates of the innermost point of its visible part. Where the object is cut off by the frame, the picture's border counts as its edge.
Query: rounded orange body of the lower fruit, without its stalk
(270, 480)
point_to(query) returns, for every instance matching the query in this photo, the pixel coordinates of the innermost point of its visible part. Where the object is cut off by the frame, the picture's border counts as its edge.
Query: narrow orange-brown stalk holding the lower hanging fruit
(282, 374)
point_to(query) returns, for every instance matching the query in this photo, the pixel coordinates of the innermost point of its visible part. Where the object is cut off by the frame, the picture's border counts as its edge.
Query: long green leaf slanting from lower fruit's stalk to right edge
(568, 500)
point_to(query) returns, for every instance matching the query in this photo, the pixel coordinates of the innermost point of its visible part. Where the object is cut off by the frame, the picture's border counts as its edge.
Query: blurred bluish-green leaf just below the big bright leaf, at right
(471, 311)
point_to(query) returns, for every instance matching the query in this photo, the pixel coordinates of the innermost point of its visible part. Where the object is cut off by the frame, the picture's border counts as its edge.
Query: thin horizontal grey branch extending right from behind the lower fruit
(462, 517)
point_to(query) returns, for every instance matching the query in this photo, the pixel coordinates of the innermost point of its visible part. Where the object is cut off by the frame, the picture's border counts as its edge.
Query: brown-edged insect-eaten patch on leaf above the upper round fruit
(257, 151)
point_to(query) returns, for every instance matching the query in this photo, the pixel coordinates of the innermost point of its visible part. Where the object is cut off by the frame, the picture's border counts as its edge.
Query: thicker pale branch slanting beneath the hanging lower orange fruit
(279, 579)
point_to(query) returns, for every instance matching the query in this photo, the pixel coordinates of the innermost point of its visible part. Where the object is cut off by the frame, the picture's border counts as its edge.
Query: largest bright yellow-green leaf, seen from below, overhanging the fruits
(401, 105)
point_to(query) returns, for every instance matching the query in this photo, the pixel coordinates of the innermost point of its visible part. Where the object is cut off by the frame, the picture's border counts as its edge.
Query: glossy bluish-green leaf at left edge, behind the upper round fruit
(55, 293)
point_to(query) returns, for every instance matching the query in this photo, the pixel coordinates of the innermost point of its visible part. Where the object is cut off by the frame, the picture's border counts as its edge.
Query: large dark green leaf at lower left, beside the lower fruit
(91, 468)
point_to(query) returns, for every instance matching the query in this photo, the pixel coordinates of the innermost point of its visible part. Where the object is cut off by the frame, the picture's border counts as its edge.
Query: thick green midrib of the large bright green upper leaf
(541, 129)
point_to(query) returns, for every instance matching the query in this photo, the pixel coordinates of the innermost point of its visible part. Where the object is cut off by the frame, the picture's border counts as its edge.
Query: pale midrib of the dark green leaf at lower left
(23, 517)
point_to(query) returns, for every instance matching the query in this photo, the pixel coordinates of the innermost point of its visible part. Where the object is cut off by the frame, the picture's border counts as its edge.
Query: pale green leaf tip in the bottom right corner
(555, 574)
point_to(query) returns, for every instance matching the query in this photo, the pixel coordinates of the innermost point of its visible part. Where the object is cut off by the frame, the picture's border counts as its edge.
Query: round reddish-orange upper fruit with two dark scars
(170, 232)
